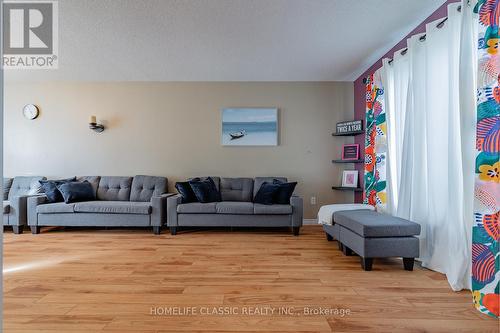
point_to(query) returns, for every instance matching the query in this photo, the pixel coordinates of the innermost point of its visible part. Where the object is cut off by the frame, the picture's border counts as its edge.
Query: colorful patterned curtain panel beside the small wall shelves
(375, 144)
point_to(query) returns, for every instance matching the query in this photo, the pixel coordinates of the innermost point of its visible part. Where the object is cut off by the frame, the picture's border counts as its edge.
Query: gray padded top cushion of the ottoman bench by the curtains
(367, 223)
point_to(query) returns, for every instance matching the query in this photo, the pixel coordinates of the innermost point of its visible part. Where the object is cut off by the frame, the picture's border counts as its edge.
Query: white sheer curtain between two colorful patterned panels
(430, 108)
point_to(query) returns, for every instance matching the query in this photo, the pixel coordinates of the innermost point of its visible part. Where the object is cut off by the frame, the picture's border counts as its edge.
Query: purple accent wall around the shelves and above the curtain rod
(359, 86)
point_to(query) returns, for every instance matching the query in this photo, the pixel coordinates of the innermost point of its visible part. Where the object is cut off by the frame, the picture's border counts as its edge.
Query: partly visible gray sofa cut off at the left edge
(15, 199)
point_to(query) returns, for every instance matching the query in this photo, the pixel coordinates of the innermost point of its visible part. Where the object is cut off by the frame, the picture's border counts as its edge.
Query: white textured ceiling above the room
(226, 40)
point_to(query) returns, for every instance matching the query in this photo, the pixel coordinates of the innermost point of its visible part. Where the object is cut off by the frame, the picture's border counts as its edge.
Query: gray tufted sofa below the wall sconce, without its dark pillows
(138, 201)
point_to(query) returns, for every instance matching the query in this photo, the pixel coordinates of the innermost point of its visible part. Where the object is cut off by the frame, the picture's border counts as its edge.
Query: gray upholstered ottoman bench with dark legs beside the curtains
(375, 235)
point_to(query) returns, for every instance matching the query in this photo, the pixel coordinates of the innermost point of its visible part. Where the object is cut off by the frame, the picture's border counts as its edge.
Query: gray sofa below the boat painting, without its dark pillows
(236, 208)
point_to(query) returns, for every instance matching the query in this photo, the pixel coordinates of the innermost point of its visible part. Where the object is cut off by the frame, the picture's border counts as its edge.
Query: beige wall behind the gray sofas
(173, 129)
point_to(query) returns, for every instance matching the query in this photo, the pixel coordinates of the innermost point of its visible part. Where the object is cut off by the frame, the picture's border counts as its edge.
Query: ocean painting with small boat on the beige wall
(250, 127)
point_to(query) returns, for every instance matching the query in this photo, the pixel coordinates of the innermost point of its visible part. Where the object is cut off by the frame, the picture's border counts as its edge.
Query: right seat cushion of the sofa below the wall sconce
(113, 207)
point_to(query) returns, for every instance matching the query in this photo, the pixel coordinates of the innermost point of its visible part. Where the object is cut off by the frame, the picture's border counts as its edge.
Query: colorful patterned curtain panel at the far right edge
(486, 233)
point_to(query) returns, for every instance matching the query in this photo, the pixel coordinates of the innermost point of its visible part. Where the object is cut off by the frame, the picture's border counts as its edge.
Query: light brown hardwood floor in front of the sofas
(81, 280)
